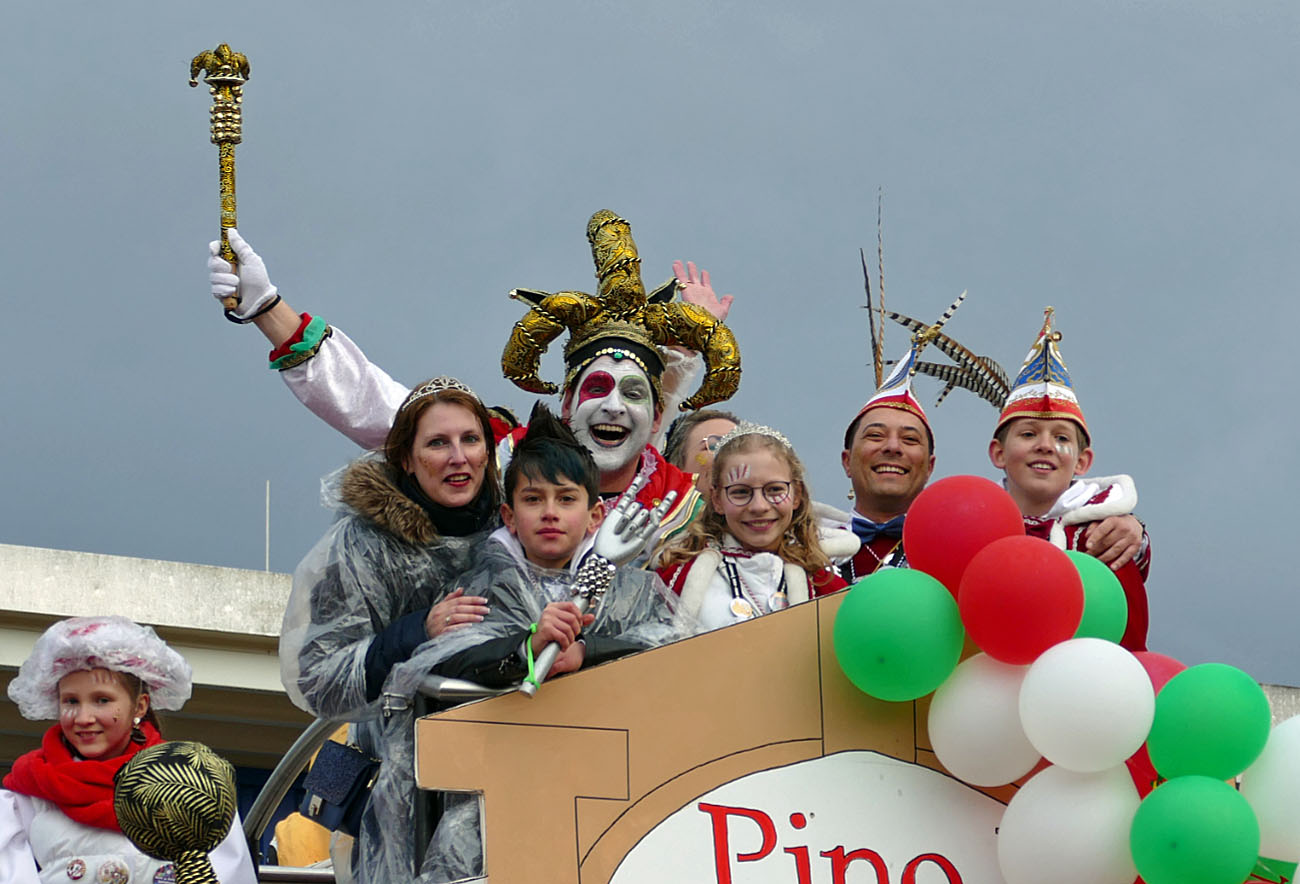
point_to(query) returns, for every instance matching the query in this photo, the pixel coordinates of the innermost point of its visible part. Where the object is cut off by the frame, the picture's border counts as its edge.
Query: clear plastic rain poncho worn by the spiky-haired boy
(636, 613)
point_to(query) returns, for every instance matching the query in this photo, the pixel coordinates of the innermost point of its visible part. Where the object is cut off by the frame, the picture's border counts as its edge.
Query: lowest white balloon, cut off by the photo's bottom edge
(1069, 829)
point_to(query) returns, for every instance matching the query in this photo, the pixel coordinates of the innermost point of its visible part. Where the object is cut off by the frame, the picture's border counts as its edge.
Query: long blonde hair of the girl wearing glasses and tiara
(800, 545)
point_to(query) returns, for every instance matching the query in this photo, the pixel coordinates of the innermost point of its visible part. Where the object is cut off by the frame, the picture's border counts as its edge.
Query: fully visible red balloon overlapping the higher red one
(1020, 596)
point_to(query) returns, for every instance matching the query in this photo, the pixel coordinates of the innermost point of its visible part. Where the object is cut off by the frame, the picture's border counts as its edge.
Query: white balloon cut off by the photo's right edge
(1272, 785)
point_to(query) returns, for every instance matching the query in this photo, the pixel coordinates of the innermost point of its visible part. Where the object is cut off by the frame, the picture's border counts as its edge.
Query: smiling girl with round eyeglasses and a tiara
(756, 549)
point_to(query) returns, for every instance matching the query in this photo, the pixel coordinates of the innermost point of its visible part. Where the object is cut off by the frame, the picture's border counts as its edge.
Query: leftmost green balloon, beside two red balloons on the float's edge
(899, 635)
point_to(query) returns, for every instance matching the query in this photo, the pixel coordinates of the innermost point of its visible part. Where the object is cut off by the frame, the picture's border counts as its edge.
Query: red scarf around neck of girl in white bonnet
(83, 788)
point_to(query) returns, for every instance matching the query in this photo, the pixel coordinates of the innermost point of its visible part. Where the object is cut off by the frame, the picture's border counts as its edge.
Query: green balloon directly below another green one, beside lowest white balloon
(1195, 831)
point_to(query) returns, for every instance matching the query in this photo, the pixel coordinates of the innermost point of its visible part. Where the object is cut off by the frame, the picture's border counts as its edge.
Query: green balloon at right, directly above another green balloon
(1211, 720)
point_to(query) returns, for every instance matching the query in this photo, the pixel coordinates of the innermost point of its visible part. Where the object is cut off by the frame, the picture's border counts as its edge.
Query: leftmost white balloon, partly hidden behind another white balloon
(976, 723)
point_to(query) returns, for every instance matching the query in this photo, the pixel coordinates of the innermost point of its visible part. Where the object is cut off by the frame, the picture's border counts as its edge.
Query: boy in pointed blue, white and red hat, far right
(1042, 444)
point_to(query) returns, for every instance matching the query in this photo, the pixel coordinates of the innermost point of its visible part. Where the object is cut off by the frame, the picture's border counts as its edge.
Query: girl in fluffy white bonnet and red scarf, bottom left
(101, 679)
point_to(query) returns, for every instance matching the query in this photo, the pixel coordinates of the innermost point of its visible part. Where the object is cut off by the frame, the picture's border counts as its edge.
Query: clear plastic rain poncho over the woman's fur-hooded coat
(374, 566)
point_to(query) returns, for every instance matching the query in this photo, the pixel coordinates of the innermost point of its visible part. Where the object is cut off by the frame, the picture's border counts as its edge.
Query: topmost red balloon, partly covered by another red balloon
(952, 521)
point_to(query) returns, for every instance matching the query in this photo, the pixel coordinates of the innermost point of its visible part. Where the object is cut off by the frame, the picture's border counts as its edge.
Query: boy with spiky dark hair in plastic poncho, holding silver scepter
(531, 569)
